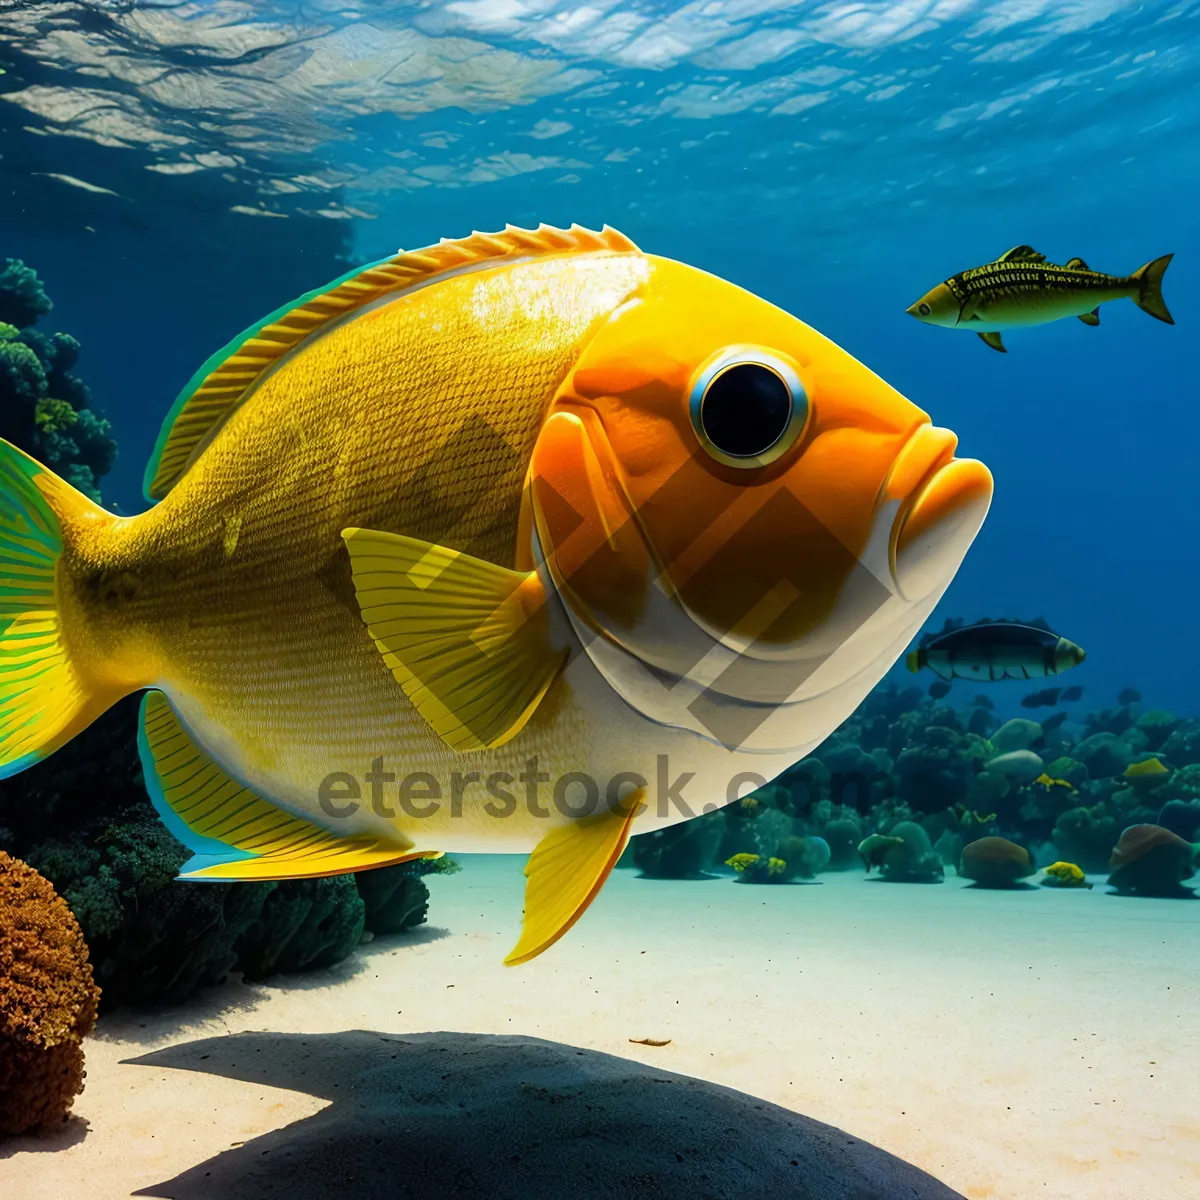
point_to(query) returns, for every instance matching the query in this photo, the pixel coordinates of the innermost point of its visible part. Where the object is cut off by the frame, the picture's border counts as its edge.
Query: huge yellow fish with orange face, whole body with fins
(524, 542)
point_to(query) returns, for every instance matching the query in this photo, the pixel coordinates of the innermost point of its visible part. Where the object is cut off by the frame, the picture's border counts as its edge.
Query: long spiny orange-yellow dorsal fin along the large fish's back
(225, 381)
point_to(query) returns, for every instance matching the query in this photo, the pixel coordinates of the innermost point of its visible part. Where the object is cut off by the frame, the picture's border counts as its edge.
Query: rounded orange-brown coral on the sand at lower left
(47, 1001)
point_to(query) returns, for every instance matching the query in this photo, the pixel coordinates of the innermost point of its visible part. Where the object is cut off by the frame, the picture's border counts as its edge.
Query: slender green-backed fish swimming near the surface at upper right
(1022, 289)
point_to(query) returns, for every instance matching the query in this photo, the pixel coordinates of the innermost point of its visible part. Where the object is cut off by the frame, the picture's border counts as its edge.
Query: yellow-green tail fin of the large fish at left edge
(44, 701)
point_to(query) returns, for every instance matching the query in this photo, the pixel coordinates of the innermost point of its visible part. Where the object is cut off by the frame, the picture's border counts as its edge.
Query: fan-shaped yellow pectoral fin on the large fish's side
(467, 640)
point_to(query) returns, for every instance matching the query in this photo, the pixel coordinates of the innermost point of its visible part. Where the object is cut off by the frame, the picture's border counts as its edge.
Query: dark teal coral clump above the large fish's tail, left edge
(45, 409)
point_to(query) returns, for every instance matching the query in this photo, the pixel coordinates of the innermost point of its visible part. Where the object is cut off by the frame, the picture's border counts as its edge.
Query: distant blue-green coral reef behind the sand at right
(907, 765)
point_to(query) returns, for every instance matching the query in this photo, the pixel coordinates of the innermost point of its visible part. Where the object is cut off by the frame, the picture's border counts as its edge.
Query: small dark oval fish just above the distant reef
(995, 650)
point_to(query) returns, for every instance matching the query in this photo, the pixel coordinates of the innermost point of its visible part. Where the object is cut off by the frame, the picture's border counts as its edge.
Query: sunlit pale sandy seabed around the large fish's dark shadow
(1015, 1045)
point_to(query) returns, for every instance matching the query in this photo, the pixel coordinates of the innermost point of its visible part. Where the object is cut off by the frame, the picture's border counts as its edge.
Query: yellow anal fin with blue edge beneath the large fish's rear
(232, 833)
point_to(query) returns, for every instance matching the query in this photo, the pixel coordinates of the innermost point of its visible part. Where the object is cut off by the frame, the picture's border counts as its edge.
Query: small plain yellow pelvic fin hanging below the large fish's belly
(566, 873)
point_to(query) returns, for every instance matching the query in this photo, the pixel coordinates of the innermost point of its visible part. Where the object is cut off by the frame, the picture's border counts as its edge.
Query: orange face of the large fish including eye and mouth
(712, 449)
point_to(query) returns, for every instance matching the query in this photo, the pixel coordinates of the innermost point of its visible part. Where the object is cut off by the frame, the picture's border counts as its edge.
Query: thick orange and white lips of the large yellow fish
(943, 503)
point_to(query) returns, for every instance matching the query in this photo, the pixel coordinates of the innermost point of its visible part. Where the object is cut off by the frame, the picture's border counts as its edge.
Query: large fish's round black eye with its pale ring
(783, 416)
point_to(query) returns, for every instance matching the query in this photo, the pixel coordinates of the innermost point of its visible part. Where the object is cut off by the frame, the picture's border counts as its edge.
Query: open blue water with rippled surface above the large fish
(175, 172)
